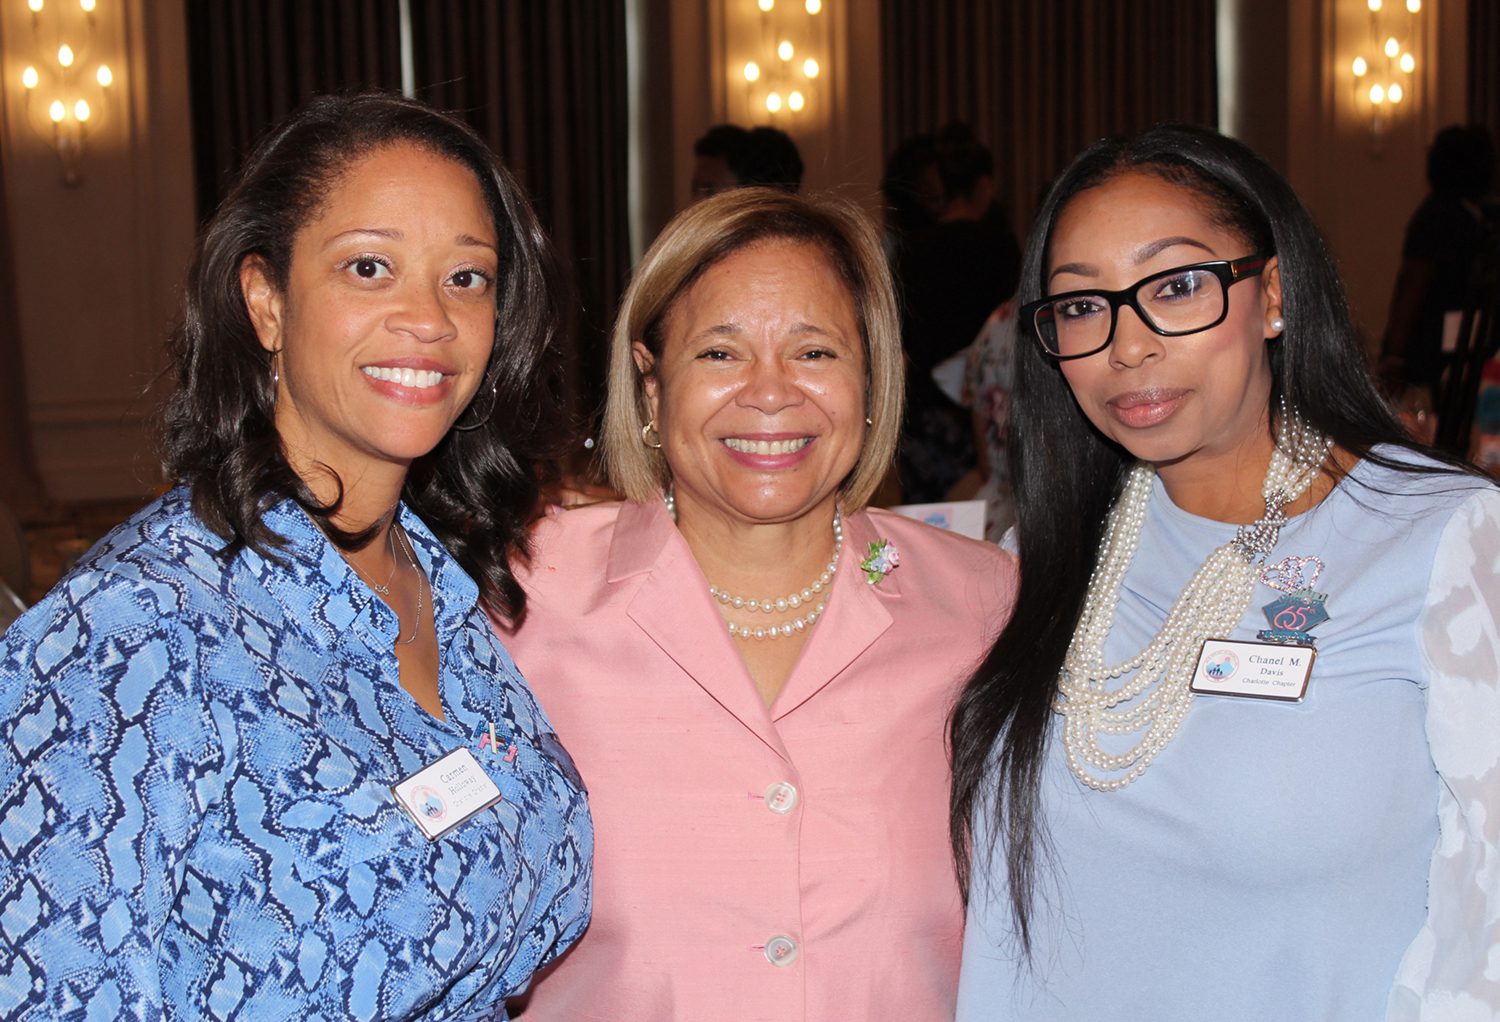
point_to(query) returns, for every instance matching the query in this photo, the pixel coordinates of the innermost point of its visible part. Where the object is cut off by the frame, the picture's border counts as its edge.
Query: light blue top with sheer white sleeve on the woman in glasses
(1276, 859)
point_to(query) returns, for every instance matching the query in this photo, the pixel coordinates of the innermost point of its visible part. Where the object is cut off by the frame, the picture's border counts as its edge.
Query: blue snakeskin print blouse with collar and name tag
(196, 819)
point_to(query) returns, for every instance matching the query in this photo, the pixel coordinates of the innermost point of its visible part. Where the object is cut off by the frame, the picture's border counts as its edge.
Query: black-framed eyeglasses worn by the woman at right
(1175, 302)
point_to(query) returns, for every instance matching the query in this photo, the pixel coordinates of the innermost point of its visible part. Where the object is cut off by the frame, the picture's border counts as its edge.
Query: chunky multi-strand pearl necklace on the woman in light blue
(1156, 699)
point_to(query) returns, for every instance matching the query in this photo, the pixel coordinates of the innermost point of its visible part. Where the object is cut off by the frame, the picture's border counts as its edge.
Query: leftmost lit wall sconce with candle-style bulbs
(67, 91)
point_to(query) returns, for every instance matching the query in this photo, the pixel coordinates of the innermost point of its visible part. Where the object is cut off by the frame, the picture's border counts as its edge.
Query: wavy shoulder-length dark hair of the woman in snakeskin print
(478, 488)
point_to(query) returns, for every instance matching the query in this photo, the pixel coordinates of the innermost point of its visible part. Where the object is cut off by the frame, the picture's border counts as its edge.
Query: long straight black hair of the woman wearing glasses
(1067, 475)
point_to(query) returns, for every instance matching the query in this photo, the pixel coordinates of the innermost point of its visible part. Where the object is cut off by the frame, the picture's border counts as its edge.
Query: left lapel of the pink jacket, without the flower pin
(674, 610)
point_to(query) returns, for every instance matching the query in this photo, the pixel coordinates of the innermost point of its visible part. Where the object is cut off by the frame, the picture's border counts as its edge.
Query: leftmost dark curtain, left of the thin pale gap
(253, 62)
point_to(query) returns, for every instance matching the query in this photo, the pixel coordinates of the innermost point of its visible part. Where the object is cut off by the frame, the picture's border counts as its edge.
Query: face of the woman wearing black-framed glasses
(1189, 403)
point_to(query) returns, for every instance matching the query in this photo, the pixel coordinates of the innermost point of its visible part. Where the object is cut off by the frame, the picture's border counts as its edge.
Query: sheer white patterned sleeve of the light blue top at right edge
(1451, 973)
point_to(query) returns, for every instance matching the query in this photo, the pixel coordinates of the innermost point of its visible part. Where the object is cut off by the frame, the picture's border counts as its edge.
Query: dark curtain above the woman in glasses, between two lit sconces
(1039, 80)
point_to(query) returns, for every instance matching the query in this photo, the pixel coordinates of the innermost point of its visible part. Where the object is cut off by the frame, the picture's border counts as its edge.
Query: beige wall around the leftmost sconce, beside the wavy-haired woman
(100, 263)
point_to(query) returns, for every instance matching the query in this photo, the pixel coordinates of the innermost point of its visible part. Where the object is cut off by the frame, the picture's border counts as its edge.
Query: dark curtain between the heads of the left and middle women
(545, 85)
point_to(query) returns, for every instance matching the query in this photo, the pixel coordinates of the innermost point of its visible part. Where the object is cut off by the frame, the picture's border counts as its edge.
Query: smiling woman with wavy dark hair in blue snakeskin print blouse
(262, 756)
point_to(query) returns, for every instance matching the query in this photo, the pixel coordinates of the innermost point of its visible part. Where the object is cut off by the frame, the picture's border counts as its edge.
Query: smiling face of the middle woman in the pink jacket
(758, 394)
